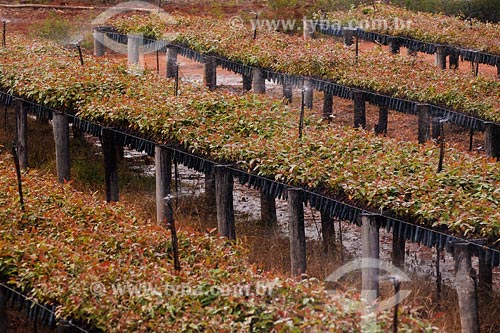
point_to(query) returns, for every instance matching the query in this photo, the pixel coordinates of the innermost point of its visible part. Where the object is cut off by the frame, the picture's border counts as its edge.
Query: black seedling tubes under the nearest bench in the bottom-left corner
(35, 311)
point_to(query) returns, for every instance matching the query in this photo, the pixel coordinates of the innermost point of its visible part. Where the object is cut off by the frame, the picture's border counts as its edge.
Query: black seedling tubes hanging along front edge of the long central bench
(335, 208)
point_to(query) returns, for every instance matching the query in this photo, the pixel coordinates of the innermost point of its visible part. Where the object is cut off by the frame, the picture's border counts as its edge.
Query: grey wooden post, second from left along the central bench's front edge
(61, 137)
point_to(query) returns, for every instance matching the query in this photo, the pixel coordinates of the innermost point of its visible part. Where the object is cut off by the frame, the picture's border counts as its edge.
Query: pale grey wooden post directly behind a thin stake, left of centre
(163, 174)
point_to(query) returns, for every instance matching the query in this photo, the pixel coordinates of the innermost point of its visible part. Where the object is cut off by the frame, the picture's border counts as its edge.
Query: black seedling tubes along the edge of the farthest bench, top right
(414, 44)
